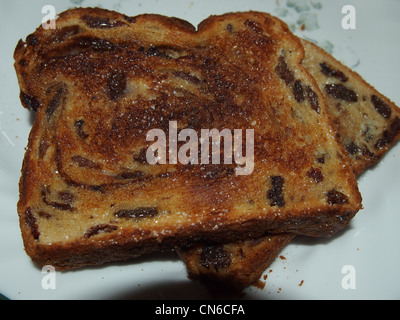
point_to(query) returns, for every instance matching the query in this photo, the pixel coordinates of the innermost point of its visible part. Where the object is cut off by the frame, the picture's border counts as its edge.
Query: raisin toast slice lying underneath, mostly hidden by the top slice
(368, 124)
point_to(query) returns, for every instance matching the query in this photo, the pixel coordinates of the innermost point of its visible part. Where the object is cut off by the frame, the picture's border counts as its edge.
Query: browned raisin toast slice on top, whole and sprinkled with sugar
(101, 81)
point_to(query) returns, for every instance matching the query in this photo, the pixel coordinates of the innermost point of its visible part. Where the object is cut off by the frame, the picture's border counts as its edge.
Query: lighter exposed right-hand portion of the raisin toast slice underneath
(367, 121)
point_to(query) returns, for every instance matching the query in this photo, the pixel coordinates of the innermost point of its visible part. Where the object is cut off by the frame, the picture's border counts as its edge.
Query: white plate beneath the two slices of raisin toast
(313, 269)
